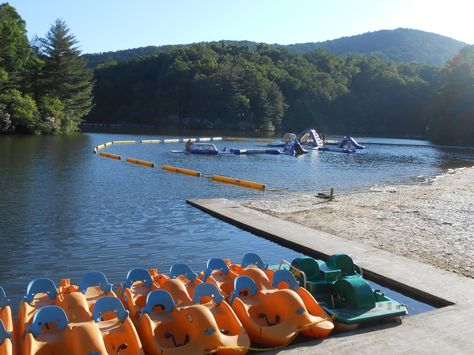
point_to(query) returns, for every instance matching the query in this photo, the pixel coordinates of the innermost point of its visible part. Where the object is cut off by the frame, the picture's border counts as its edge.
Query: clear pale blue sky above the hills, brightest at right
(108, 25)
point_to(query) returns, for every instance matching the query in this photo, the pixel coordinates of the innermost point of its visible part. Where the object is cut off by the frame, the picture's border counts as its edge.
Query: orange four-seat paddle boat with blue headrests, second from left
(102, 323)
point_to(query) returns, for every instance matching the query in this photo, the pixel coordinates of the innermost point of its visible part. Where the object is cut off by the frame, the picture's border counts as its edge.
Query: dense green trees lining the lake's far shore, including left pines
(45, 87)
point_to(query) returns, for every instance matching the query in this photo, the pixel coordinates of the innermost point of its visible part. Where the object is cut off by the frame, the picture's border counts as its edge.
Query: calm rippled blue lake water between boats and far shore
(65, 211)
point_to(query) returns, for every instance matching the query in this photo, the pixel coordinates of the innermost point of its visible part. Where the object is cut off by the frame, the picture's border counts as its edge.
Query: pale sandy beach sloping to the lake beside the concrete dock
(432, 222)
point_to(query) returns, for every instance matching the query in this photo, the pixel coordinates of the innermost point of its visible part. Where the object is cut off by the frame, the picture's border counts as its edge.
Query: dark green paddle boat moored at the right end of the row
(338, 286)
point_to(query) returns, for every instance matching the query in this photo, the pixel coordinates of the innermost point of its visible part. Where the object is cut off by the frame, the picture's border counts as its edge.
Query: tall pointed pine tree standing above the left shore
(64, 74)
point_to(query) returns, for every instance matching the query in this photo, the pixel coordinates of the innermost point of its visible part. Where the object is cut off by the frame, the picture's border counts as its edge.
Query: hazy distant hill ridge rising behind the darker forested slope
(401, 45)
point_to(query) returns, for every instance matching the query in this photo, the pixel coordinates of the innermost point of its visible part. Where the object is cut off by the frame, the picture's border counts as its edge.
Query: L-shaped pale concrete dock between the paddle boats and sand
(446, 330)
